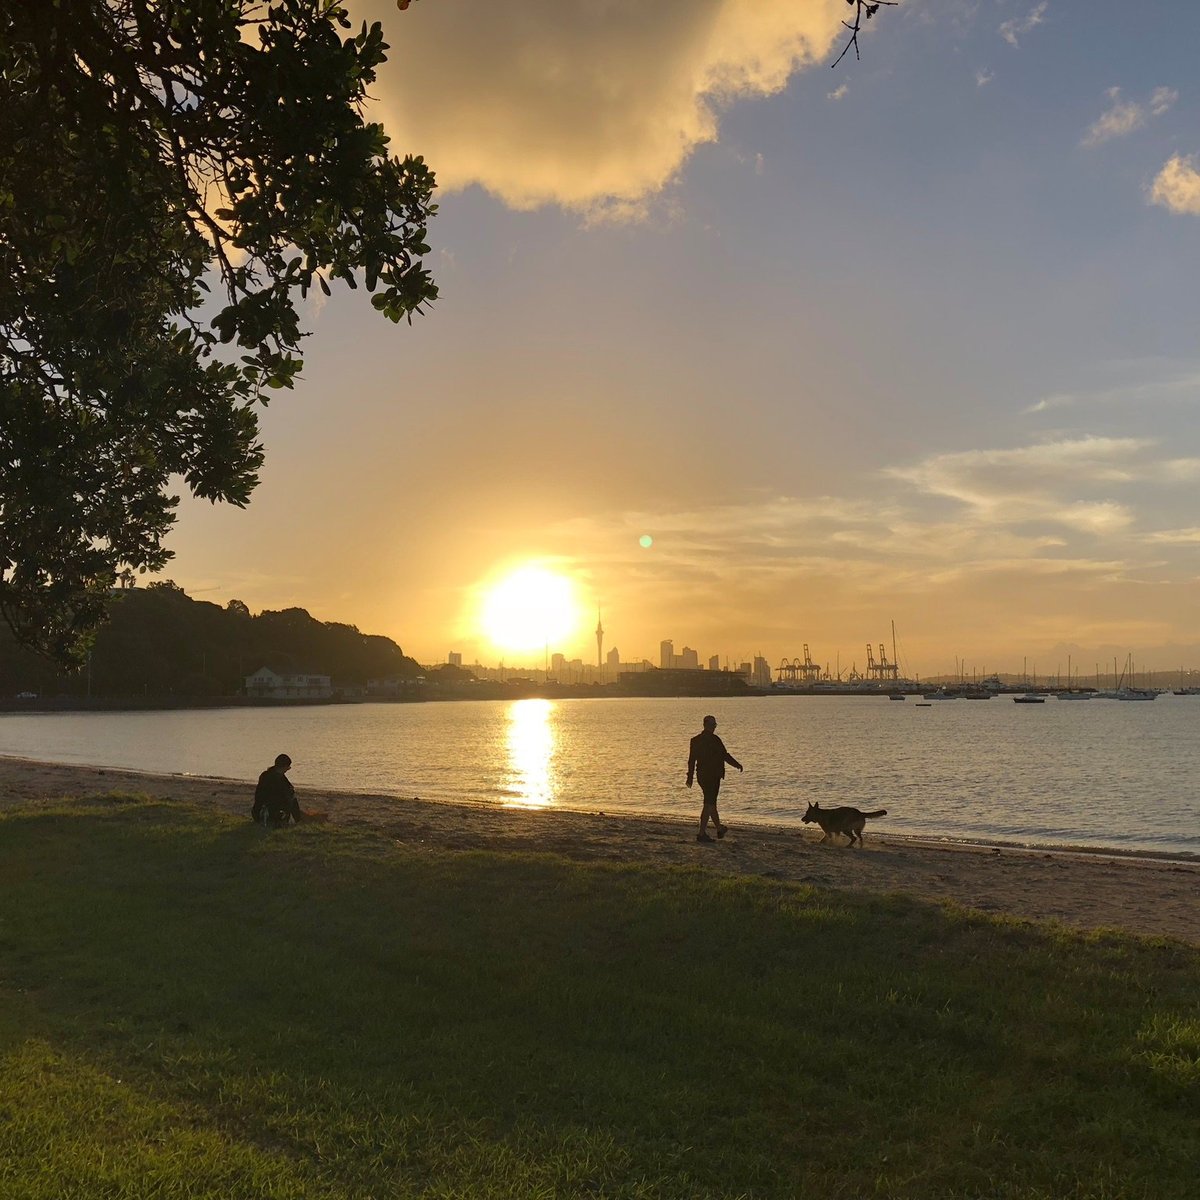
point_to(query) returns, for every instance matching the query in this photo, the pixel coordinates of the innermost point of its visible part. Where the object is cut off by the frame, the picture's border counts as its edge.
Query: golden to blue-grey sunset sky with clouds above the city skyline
(913, 341)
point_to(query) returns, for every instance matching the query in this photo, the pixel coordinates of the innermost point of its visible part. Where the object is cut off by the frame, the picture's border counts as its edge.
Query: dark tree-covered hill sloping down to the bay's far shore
(161, 644)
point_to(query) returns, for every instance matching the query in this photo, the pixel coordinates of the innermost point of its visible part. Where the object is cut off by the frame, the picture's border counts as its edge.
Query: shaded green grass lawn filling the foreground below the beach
(194, 1007)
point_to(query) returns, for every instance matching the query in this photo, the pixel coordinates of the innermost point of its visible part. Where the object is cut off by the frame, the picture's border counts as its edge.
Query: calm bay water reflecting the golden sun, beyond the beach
(1096, 773)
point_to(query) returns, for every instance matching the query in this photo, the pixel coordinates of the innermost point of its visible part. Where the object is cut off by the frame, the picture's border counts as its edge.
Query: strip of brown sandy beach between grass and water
(1082, 890)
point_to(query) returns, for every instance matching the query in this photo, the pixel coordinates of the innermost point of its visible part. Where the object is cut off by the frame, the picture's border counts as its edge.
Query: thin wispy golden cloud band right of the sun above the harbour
(1029, 537)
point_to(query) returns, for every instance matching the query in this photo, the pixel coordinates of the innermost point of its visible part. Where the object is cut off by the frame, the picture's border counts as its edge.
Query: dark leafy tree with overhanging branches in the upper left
(175, 176)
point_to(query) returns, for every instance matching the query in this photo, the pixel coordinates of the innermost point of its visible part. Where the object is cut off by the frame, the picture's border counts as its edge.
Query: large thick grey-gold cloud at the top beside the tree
(577, 103)
